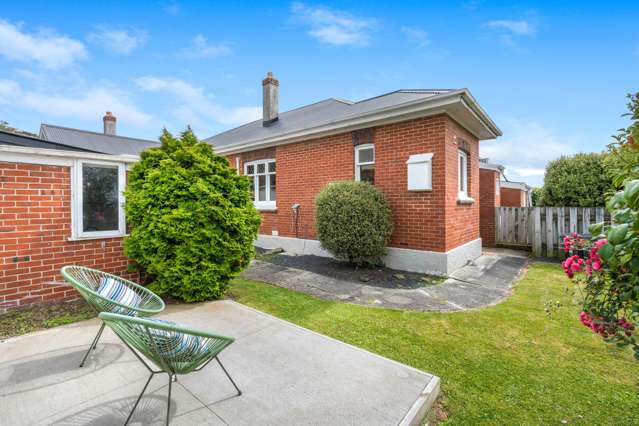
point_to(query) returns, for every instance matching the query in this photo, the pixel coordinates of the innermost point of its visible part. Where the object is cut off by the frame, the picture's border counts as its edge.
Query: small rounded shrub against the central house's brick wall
(353, 221)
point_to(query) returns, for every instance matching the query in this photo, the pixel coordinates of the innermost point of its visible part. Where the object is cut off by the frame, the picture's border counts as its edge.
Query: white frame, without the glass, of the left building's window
(77, 216)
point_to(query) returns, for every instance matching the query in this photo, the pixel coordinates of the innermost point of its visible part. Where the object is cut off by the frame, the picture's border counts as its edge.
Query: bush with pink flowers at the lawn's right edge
(606, 270)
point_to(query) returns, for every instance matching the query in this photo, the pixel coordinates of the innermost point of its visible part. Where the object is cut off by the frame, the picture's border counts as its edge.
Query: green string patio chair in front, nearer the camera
(172, 348)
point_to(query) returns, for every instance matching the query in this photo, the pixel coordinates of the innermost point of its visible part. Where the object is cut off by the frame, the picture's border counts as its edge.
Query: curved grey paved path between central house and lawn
(486, 281)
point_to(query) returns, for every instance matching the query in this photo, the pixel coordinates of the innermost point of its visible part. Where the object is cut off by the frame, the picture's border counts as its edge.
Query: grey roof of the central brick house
(317, 114)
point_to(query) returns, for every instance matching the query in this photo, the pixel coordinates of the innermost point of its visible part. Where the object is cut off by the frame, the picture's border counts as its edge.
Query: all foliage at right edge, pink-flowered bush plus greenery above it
(608, 276)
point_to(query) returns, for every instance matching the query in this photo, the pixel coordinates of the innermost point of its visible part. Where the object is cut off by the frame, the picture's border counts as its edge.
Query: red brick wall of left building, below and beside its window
(35, 224)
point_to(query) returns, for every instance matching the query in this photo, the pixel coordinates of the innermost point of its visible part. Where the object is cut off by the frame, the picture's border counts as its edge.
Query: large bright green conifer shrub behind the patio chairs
(192, 219)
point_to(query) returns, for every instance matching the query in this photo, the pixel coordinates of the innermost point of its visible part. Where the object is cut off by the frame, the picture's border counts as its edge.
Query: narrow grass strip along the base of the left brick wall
(22, 321)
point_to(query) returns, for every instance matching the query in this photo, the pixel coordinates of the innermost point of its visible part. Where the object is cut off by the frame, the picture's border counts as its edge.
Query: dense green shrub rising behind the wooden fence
(576, 181)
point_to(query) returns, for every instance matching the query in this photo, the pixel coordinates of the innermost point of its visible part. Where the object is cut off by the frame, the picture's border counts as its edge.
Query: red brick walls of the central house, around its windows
(420, 218)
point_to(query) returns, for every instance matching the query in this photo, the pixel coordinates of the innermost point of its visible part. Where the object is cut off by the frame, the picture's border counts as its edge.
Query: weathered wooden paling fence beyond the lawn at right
(540, 229)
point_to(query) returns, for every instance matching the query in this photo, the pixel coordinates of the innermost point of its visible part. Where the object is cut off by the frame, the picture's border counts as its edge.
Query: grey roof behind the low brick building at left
(96, 142)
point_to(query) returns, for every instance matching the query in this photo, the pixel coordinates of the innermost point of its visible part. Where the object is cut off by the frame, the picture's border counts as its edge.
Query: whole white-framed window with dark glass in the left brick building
(98, 200)
